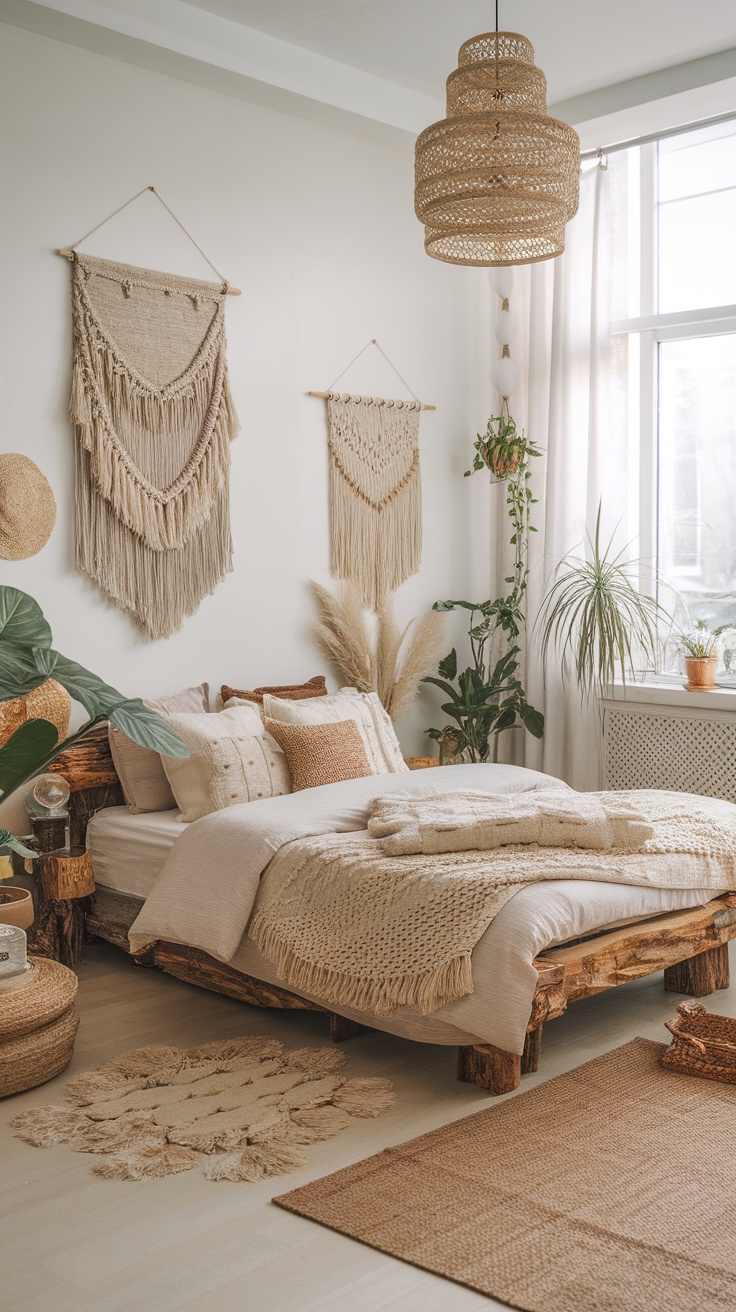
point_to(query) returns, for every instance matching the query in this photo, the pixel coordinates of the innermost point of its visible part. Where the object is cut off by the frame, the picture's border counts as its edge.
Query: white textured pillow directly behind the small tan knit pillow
(377, 731)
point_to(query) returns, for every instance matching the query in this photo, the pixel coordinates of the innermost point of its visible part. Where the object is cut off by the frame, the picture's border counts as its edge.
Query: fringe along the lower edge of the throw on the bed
(381, 996)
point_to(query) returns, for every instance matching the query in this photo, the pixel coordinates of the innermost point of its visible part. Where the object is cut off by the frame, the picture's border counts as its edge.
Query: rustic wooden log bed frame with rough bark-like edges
(691, 947)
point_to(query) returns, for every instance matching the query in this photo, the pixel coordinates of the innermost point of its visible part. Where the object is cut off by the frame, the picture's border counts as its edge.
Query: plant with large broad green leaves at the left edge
(27, 661)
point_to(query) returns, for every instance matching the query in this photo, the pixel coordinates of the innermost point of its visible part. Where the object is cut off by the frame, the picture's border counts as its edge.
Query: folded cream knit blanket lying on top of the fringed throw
(461, 822)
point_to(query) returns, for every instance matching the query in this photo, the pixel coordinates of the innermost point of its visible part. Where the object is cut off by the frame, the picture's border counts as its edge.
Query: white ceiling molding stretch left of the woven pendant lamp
(182, 41)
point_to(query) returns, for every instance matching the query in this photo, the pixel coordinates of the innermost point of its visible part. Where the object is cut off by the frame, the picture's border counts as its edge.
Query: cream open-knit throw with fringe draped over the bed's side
(352, 926)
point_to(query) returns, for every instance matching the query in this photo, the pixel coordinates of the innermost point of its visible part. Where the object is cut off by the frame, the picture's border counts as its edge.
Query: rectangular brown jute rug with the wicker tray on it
(611, 1189)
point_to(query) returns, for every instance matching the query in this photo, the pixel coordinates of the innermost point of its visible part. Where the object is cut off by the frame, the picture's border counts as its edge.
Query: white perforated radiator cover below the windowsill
(659, 746)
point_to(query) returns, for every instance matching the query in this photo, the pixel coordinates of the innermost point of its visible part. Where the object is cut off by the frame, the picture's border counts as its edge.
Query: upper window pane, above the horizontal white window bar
(697, 220)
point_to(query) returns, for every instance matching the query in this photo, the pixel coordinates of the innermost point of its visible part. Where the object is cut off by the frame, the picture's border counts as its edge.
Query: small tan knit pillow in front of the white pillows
(321, 754)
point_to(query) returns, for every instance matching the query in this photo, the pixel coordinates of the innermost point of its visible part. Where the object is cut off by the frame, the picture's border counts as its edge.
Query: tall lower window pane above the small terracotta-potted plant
(697, 473)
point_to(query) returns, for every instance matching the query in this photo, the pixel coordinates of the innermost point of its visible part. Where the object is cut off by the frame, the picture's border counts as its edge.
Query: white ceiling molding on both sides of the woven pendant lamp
(195, 45)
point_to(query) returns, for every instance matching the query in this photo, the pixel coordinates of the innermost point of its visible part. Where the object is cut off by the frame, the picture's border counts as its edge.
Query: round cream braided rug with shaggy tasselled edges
(243, 1105)
